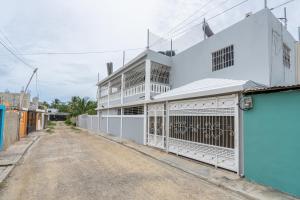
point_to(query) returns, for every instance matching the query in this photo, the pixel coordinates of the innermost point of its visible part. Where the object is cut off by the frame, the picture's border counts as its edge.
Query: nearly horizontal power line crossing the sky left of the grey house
(80, 52)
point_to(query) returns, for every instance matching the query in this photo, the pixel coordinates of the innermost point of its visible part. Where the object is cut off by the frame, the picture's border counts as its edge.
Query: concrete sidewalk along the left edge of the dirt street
(11, 156)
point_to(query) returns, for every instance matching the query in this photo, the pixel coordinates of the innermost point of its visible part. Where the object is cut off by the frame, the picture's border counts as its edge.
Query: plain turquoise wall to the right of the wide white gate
(272, 141)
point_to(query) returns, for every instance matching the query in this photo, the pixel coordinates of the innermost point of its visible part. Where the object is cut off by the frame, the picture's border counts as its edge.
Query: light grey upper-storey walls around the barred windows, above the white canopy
(252, 40)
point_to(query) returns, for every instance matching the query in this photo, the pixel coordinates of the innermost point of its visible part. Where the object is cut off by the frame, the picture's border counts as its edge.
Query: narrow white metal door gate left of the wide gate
(156, 126)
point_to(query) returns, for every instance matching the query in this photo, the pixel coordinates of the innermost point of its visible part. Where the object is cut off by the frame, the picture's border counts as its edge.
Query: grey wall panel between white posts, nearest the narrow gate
(133, 129)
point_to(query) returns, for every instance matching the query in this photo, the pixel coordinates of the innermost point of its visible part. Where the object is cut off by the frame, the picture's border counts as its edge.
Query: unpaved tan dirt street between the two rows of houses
(72, 164)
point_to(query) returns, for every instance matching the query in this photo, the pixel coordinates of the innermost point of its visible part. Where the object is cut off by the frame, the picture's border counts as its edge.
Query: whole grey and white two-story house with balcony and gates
(189, 103)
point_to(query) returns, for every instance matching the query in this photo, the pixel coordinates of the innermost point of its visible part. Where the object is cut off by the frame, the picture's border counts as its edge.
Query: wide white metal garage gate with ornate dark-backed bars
(205, 130)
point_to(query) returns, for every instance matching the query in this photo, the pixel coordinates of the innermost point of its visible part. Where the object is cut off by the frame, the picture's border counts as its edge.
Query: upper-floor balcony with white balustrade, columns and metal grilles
(133, 85)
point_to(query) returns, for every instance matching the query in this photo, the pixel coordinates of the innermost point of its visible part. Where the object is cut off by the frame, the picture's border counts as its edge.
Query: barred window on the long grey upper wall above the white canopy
(223, 58)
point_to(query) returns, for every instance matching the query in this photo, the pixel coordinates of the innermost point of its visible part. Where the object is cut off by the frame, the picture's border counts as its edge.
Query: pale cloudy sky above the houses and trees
(108, 26)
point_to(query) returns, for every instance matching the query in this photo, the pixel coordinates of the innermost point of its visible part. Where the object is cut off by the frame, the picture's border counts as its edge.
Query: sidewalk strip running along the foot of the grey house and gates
(219, 177)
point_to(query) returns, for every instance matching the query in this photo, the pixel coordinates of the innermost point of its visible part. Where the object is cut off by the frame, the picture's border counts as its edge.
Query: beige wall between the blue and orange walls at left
(11, 124)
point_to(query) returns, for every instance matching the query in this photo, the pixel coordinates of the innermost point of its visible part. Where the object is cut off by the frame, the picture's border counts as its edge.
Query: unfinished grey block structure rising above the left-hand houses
(12, 100)
